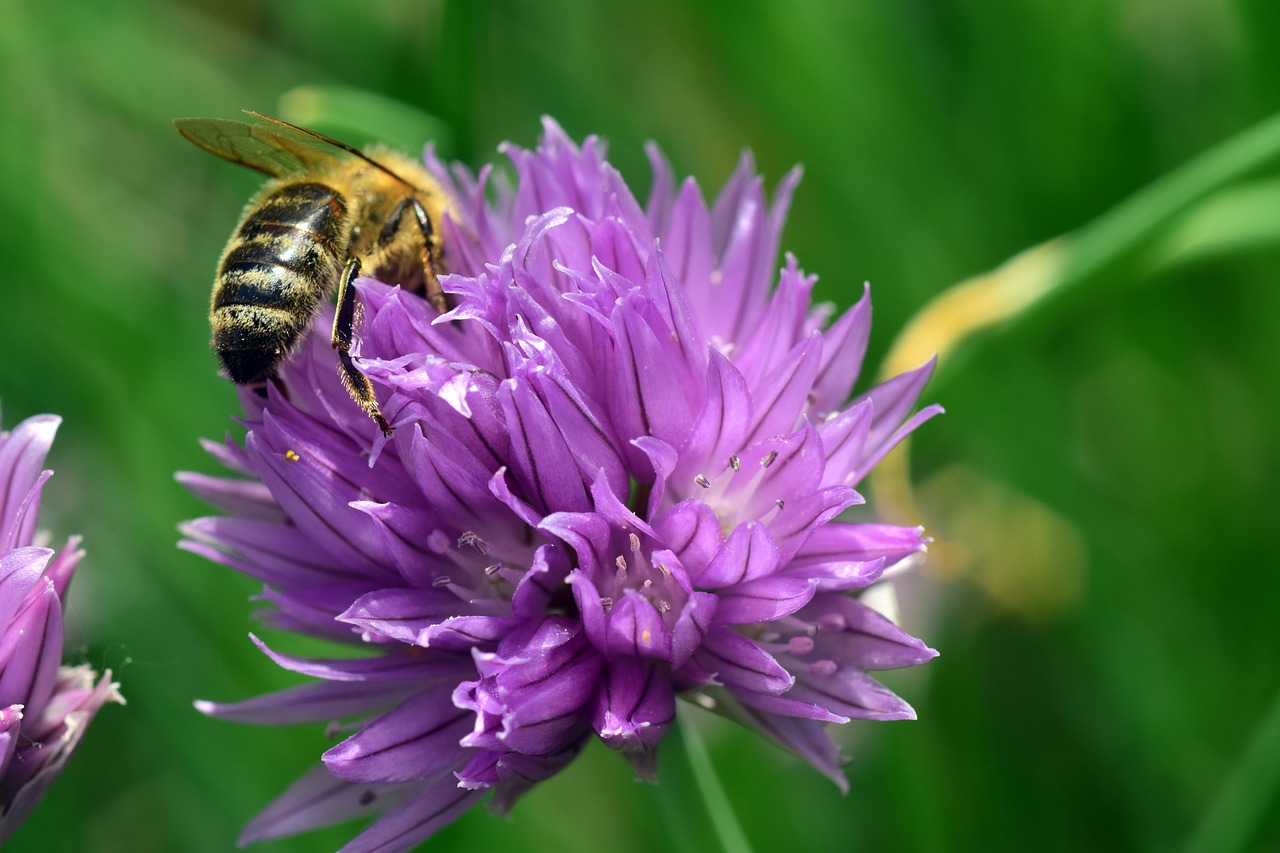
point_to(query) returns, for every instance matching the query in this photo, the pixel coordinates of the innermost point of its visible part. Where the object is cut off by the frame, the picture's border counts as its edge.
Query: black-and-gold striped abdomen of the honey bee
(285, 257)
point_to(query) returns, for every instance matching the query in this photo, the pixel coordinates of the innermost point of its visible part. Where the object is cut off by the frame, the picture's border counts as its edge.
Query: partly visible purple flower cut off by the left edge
(44, 708)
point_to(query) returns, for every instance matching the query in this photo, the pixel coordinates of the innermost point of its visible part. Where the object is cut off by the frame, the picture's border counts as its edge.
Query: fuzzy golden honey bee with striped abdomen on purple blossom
(327, 213)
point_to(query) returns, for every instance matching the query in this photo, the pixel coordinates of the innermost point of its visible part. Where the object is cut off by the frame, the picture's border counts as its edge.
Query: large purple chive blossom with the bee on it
(616, 477)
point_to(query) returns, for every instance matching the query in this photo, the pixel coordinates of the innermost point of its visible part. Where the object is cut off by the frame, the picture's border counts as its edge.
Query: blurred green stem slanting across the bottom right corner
(1249, 796)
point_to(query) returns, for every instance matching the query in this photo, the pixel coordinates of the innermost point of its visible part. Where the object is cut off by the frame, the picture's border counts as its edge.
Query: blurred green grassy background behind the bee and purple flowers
(1104, 589)
